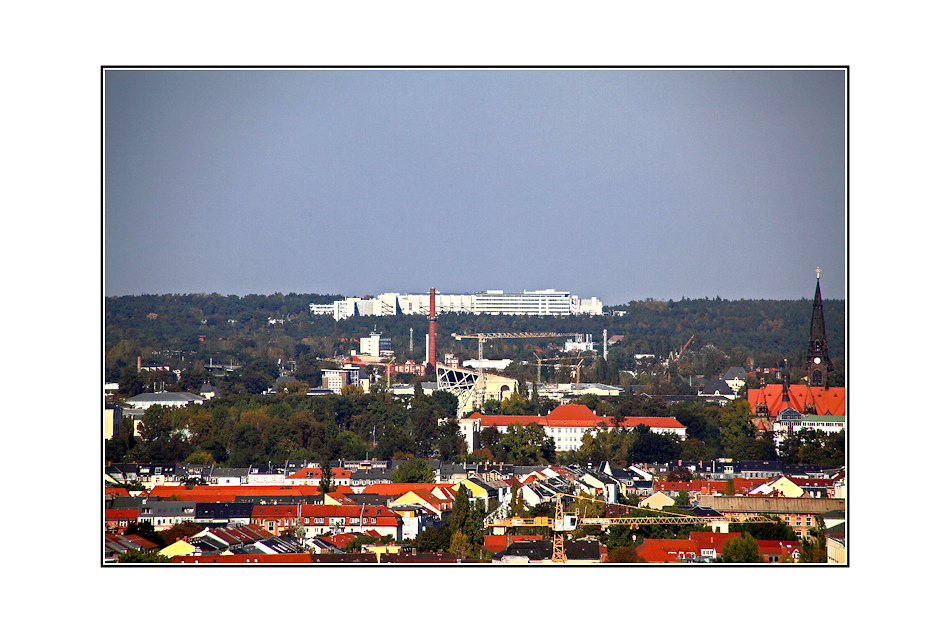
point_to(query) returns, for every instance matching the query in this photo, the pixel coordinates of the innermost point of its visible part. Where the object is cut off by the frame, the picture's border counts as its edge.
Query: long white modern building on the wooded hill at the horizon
(533, 302)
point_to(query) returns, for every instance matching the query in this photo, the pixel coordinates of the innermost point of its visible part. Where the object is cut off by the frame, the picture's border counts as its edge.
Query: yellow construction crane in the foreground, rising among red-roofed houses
(564, 522)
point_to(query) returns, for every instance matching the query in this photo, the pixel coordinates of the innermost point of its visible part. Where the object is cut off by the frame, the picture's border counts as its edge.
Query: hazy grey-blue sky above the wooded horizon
(618, 183)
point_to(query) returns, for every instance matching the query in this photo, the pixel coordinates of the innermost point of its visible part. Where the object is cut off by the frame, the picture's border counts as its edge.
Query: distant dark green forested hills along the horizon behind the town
(185, 331)
